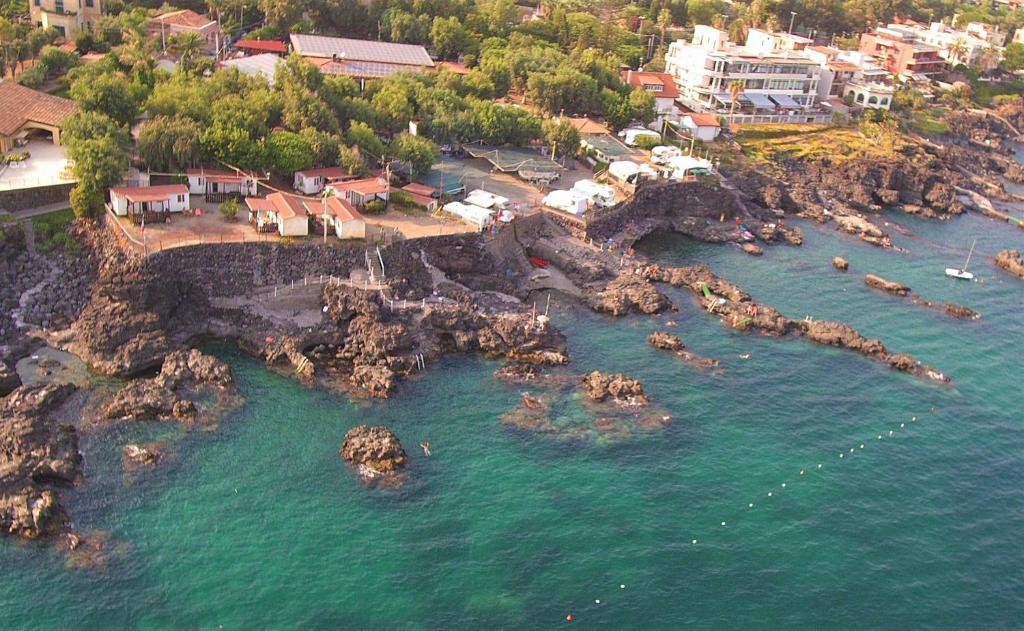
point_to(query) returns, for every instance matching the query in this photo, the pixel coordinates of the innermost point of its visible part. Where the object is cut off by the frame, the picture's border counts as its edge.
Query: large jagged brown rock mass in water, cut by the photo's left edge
(38, 457)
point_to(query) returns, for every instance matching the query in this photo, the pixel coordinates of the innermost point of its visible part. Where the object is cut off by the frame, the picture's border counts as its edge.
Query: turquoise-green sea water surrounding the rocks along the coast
(260, 525)
